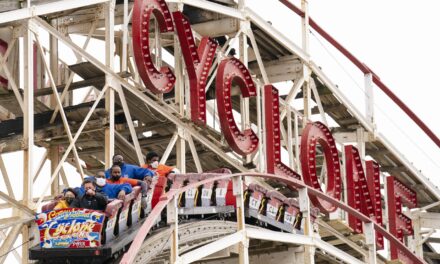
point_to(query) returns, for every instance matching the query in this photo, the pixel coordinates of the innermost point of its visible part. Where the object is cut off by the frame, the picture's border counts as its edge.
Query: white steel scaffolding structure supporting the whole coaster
(118, 110)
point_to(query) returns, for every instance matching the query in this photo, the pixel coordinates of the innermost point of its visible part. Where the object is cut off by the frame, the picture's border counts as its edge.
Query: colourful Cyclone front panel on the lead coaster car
(70, 228)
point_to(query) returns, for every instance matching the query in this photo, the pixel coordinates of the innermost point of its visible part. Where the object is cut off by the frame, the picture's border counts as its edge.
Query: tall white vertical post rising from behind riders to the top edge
(110, 94)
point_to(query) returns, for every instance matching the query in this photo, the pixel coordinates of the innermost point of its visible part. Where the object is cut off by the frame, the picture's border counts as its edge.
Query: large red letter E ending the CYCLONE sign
(399, 224)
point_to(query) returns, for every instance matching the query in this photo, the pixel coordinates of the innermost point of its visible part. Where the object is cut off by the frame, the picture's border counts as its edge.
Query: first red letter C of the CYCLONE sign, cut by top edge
(157, 81)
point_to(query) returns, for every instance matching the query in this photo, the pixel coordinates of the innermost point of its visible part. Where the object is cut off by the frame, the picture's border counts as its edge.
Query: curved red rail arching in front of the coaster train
(292, 183)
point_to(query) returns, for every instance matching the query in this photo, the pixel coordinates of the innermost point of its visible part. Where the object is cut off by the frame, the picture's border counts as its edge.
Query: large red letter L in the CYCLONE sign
(273, 135)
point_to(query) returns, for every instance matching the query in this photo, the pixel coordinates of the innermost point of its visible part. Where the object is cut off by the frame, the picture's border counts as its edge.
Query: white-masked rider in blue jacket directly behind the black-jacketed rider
(110, 191)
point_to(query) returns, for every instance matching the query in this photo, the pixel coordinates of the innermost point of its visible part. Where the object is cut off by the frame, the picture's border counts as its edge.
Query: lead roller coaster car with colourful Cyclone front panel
(76, 235)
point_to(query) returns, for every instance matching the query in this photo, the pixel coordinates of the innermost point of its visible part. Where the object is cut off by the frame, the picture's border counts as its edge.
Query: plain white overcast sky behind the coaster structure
(399, 40)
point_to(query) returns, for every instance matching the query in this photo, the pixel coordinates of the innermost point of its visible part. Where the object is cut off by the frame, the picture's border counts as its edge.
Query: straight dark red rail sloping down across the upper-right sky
(365, 69)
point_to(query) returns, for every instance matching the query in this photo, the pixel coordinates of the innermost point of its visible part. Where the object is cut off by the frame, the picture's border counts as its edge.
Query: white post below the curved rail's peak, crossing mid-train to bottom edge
(243, 246)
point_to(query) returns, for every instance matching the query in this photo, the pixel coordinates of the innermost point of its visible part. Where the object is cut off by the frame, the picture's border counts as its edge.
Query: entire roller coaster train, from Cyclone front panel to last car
(86, 236)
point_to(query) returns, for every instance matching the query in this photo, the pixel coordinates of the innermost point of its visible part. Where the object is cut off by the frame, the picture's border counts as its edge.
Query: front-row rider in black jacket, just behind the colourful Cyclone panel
(91, 199)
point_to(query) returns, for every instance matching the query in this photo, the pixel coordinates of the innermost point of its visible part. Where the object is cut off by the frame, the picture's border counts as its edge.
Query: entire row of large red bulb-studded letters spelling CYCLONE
(363, 187)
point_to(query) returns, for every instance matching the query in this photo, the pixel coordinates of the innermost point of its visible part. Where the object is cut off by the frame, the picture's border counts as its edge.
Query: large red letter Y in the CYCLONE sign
(198, 62)
